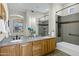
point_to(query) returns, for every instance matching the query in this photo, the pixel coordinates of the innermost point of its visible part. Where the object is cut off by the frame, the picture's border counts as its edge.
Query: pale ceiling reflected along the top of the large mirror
(38, 7)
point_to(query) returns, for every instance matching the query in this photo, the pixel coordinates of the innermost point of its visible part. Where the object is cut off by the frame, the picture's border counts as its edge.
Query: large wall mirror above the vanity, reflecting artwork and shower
(28, 19)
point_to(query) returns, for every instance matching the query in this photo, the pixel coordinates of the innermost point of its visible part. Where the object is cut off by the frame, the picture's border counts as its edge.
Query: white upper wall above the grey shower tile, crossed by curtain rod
(71, 10)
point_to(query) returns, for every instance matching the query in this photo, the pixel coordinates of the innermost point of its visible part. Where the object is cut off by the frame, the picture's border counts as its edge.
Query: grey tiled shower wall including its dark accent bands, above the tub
(68, 28)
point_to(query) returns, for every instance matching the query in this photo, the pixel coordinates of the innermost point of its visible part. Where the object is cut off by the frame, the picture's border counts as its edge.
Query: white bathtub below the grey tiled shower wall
(68, 48)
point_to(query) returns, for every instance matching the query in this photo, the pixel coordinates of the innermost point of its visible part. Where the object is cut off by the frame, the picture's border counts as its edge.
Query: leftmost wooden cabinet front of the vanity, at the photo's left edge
(10, 50)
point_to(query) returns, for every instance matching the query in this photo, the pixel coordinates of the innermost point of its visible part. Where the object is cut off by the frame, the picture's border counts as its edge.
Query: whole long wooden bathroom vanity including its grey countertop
(29, 47)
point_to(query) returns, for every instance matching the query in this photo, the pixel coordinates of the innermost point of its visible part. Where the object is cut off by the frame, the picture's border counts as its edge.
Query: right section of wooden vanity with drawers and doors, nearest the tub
(42, 47)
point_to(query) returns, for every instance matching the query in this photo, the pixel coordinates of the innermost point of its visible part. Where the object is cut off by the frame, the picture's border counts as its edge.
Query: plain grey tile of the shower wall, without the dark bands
(70, 28)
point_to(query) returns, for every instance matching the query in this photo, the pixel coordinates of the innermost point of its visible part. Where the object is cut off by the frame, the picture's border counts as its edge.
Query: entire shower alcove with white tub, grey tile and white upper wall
(67, 30)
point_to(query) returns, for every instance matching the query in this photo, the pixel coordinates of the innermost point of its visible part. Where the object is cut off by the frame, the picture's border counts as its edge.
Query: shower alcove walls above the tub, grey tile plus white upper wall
(67, 27)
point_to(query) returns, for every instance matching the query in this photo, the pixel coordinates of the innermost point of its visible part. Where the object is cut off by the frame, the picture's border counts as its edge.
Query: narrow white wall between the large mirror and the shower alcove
(52, 16)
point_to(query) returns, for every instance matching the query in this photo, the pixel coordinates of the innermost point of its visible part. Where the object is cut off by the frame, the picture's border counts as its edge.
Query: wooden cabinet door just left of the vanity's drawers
(26, 49)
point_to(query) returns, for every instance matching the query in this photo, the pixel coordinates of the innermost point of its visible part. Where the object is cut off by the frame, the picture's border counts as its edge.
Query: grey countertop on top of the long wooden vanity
(24, 39)
